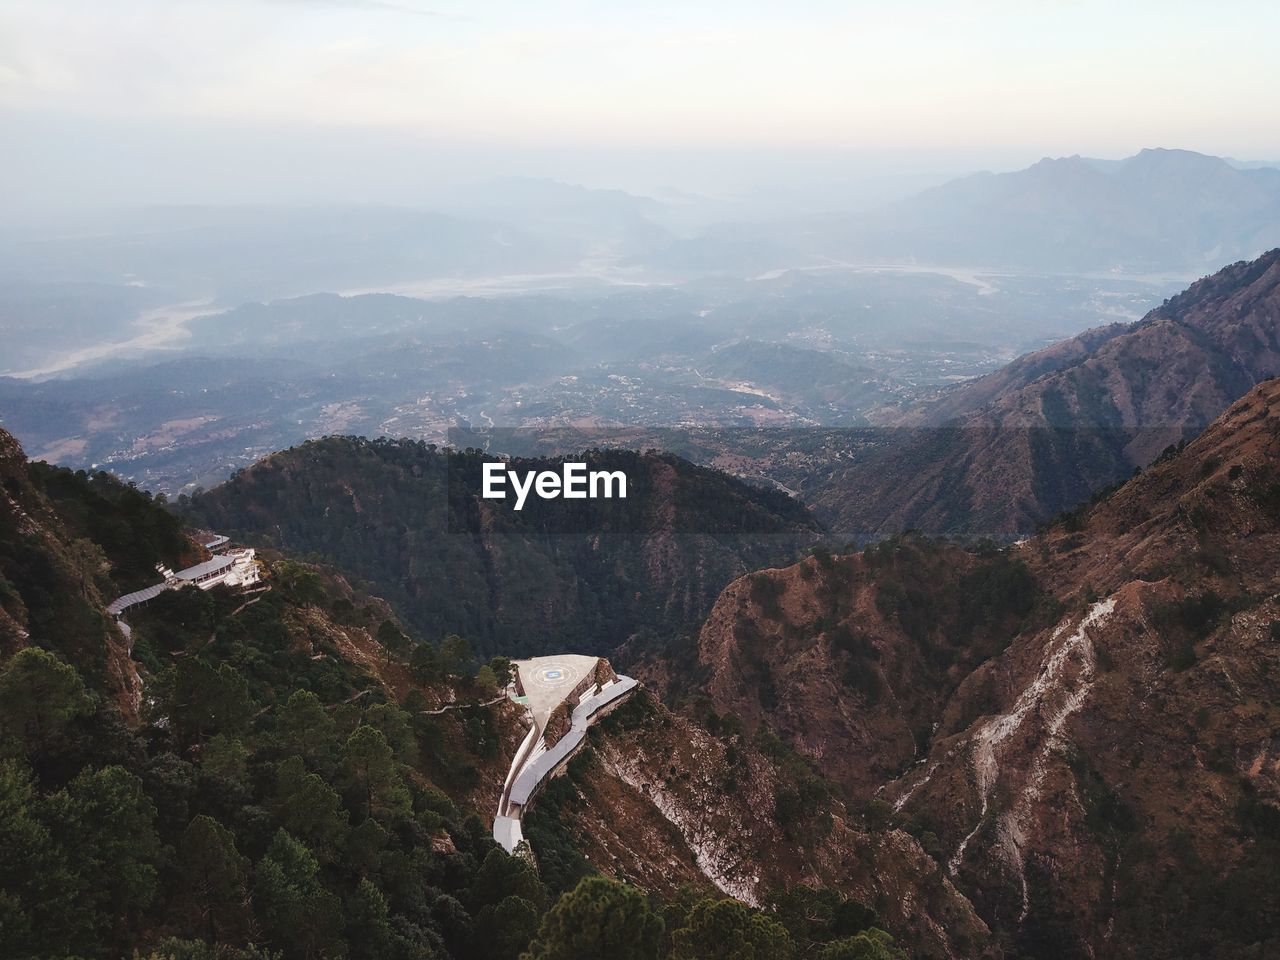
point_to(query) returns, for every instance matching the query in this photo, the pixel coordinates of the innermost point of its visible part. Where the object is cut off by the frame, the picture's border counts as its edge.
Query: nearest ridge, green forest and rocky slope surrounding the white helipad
(292, 772)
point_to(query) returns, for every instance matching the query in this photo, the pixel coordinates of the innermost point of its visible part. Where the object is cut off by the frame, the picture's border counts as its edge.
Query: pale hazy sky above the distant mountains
(359, 99)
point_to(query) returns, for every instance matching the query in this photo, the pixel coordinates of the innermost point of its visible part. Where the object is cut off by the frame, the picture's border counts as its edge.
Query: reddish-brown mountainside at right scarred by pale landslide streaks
(1105, 783)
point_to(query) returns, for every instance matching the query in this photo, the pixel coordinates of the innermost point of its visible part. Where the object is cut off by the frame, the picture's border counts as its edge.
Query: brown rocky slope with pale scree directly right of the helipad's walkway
(661, 799)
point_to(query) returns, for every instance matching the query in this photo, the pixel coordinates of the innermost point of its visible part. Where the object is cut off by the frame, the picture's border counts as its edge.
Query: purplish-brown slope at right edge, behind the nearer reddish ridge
(1004, 454)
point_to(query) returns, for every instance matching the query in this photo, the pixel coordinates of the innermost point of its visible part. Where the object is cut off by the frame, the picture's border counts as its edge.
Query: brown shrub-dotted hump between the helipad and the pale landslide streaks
(852, 660)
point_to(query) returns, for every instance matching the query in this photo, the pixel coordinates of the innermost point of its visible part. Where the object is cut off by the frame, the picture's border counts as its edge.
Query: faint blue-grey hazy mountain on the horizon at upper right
(1156, 212)
